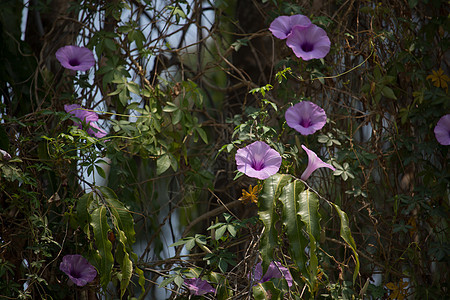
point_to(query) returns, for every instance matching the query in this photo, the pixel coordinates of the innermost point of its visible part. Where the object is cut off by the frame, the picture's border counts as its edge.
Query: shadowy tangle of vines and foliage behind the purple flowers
(179, 86)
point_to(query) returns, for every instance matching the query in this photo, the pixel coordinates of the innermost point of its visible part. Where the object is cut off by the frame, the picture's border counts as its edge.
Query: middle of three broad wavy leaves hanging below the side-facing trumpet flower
(292, 224)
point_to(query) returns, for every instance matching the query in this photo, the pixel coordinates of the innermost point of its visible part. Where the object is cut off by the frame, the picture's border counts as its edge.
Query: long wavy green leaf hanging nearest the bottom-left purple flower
(101, 228)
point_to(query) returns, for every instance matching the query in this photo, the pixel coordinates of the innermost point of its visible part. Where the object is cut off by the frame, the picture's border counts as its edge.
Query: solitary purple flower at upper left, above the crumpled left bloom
(75, 58)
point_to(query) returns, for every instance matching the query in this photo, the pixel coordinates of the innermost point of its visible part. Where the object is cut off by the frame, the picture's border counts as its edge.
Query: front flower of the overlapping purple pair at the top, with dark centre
(309, 42)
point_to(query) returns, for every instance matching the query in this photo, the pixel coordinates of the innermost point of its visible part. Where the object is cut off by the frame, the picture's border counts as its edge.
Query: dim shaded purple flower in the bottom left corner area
(79, 270)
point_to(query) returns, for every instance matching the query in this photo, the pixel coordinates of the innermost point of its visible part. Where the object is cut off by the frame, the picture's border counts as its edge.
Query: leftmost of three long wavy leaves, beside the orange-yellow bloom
(267, 214)
